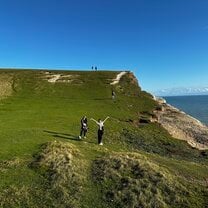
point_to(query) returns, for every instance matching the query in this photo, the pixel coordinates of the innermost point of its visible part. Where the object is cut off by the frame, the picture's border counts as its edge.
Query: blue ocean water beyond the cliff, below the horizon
(196, 105)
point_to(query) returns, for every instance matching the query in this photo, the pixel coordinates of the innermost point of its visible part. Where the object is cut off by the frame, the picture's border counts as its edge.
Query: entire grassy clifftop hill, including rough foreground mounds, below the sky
(44, 164)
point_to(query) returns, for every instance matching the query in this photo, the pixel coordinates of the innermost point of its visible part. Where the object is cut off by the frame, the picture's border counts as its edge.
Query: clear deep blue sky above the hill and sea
(164, 42)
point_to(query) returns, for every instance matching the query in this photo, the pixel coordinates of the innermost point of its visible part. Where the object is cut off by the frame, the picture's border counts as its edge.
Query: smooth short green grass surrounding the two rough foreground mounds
(39, 111)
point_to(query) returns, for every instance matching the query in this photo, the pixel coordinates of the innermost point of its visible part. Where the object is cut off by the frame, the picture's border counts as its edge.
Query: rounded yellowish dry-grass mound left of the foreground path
(57, 162)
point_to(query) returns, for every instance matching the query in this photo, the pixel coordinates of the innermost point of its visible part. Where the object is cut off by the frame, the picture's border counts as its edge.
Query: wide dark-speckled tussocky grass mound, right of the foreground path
(130, 181)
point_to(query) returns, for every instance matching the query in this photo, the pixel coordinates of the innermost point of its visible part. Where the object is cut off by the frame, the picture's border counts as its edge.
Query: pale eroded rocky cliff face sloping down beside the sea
(182, 126)
